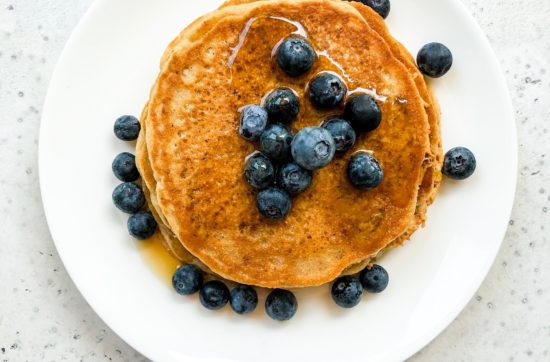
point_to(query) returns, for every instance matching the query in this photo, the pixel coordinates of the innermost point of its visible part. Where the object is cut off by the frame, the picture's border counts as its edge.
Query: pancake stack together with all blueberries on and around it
(276, 151)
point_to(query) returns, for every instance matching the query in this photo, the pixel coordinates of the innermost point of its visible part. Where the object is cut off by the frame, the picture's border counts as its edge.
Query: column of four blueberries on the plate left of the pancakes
(128, 197)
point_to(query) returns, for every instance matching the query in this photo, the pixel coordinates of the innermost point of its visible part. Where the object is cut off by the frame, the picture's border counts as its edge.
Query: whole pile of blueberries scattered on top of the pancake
(284, 165)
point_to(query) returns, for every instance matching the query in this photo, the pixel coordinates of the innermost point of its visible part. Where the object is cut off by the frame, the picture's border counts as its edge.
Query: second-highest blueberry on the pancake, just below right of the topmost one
(327, 90)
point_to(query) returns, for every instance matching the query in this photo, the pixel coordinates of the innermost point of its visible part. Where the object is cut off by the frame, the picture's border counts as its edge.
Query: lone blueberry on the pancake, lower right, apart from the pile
(364, 171)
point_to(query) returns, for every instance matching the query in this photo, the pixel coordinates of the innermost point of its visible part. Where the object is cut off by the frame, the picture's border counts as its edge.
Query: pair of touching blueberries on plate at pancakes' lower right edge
(347, 290)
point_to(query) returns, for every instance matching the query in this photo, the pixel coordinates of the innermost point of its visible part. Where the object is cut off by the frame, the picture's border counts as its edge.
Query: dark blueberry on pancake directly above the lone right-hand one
(363, 112)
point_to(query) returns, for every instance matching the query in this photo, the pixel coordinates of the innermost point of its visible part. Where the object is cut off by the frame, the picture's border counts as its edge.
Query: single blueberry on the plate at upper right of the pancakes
(434, 60)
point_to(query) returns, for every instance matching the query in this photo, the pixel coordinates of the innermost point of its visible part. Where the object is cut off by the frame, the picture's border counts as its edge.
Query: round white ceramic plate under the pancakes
(107, 69)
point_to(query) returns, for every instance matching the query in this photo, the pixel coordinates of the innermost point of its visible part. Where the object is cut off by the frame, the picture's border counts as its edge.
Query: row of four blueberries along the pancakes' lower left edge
(280, 304)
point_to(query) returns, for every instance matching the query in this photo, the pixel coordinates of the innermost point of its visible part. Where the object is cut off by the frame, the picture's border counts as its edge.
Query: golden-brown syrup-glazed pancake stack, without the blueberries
(191, 157)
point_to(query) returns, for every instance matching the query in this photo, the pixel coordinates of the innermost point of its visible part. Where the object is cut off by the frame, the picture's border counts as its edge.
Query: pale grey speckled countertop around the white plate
(44, 318)
